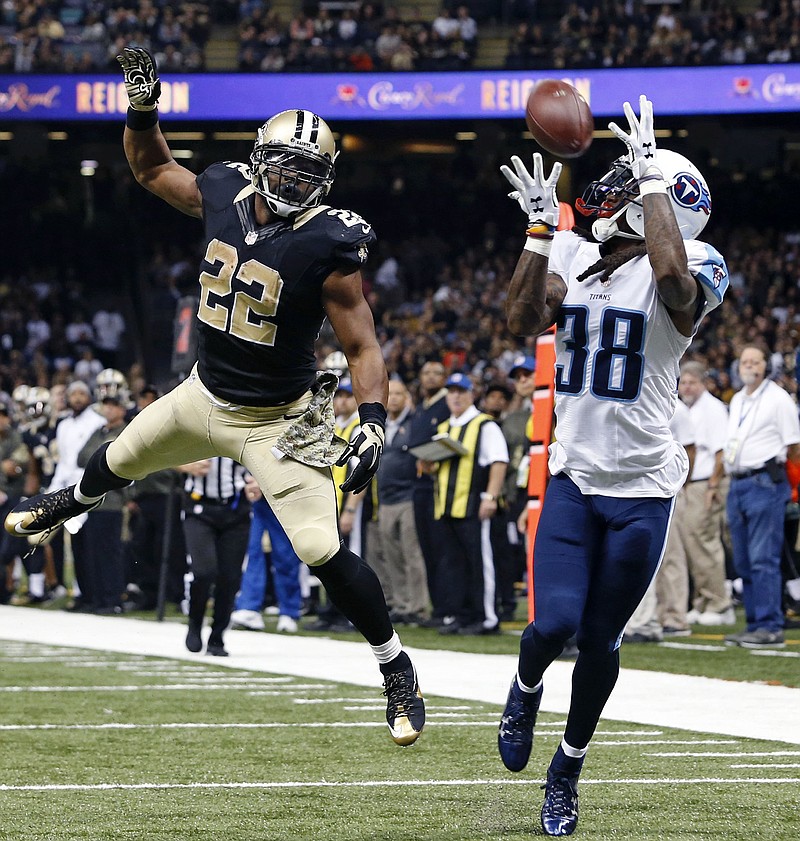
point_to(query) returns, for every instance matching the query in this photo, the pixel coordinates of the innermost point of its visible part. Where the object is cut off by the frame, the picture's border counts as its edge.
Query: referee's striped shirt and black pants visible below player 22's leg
(216, 525)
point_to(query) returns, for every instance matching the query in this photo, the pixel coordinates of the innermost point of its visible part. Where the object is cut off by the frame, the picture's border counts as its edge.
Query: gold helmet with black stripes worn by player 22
(292, 161)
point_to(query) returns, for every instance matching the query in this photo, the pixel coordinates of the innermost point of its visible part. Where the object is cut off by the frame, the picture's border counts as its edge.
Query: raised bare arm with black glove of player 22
(146, 149)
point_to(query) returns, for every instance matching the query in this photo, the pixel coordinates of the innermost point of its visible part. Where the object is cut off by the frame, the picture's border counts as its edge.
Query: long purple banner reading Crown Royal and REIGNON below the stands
(739, 89)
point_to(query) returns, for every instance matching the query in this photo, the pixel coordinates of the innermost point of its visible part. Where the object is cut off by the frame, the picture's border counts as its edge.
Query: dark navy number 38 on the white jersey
(618, 361)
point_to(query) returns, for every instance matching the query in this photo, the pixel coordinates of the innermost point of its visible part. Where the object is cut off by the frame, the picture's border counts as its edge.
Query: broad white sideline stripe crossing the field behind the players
(705, 705)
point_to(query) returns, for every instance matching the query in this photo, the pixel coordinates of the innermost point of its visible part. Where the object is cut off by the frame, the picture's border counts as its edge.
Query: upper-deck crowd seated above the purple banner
(355, 35)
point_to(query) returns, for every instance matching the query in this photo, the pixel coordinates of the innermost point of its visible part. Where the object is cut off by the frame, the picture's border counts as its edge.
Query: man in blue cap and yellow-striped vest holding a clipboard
(467, 490)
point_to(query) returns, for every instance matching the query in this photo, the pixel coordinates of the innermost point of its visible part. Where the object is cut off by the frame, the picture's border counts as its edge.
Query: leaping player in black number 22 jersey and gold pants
(276, 263)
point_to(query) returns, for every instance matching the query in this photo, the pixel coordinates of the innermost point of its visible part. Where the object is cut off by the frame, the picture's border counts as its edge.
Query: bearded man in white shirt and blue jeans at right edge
(763, 431)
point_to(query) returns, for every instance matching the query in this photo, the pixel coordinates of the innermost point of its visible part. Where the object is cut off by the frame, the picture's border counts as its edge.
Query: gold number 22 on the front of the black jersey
(244, 316)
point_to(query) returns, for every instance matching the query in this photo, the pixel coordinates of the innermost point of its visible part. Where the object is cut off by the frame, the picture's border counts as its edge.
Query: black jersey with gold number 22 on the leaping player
(260, 309)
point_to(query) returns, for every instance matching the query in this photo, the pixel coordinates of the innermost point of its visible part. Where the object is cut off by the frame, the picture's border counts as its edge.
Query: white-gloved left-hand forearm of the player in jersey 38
(534, 295)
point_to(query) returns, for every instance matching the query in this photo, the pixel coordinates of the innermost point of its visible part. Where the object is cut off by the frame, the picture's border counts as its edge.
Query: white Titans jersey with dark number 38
(617, 369)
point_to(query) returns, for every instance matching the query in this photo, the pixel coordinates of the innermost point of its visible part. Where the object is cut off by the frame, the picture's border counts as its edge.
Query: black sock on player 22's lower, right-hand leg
(354, 588)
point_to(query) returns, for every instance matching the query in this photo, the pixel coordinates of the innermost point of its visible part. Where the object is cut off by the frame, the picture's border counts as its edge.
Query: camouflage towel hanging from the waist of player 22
(311, 439)
